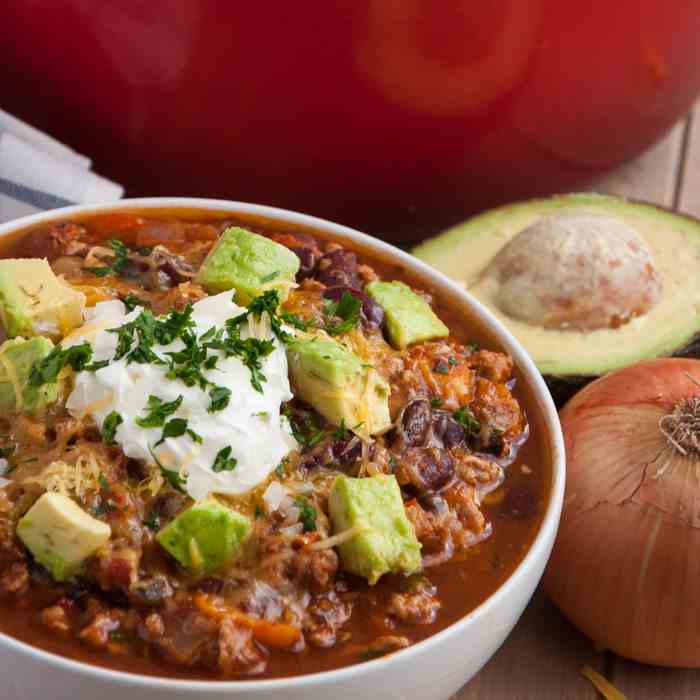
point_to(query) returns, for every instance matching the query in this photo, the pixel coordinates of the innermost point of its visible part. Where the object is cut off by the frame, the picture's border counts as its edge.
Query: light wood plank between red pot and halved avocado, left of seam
(651, 176)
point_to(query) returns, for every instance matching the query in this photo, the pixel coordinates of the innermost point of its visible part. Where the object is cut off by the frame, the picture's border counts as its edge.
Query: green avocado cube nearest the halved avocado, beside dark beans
(409, 318)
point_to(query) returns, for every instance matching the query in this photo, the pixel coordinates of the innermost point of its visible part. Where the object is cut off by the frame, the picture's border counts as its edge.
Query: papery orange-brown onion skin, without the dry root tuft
(625, 568)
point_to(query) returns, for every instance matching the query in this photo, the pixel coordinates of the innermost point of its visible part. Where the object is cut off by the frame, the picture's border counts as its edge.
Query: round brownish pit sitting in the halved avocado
(578, 271)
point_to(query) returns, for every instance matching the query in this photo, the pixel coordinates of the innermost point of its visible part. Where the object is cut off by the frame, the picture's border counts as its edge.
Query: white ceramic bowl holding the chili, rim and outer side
(433, 669)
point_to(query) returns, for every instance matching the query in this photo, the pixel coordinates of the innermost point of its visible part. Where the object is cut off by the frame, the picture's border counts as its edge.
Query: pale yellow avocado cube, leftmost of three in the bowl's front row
(61, 535)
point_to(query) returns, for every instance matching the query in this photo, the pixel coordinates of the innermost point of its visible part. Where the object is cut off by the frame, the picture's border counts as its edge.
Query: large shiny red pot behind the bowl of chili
(396, 116)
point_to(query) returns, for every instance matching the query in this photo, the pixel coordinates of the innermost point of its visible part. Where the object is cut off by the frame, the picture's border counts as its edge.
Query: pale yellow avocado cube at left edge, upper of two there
(33, 301)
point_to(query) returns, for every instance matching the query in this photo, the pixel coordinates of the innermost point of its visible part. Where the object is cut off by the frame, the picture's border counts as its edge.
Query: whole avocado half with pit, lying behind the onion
(588, 283)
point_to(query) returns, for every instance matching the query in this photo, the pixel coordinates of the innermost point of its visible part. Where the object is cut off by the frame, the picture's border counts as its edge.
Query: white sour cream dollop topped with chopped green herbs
(251, 425)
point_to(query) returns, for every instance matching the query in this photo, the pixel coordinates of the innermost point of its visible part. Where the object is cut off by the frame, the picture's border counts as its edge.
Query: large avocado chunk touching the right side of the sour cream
(339, 386)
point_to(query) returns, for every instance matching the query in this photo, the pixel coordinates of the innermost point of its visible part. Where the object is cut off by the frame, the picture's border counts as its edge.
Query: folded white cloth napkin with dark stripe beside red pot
(38, 173)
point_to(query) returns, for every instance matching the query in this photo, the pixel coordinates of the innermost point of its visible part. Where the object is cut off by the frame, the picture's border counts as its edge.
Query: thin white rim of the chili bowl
(538, 549)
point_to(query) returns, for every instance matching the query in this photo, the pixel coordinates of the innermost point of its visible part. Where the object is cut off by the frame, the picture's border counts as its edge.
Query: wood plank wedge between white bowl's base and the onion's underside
(541, 660)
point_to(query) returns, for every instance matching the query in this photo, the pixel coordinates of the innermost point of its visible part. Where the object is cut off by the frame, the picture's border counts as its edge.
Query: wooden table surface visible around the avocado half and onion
(542, 658)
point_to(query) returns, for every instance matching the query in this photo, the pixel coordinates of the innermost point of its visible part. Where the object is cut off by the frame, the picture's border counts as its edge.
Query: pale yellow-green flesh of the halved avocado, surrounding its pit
(465, 251)
